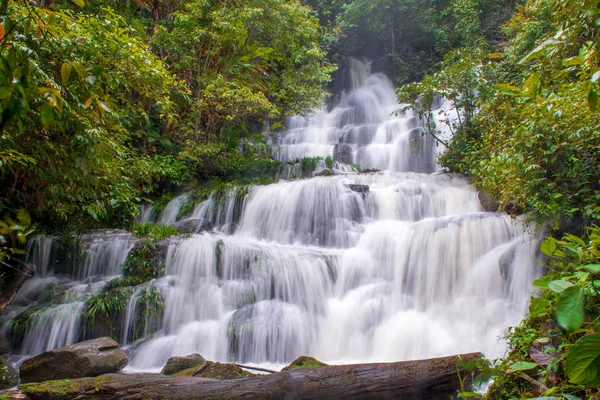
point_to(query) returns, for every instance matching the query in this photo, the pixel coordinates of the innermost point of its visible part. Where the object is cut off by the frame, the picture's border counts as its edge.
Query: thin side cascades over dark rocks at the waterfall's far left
(58, 323)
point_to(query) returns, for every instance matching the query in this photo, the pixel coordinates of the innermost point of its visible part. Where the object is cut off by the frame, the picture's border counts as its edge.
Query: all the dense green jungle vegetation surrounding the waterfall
(107, 104)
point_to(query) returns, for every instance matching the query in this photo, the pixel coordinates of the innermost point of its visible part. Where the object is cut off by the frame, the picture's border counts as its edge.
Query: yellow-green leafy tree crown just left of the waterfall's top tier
(242, 61)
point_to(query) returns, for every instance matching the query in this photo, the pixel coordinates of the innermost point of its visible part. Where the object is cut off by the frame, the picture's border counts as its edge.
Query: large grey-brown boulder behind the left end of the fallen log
(85, 359)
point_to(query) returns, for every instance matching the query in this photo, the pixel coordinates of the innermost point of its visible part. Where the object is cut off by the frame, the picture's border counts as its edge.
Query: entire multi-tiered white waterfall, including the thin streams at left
(380, 266)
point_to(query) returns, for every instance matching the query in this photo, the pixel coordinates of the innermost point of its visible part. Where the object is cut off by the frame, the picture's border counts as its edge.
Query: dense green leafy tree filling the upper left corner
(75, 87)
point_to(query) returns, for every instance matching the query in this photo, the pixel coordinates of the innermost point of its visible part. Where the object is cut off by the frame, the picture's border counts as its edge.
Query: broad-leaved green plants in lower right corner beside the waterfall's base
(557, 344)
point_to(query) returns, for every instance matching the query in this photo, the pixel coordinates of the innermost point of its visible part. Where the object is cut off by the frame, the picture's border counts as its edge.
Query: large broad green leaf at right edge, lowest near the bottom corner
(583, 361)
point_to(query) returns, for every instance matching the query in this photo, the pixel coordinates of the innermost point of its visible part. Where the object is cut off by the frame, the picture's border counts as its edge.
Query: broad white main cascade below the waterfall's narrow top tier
(412, 269)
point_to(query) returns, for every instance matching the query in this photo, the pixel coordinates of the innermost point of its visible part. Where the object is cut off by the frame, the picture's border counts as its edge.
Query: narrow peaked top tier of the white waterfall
(361, 129)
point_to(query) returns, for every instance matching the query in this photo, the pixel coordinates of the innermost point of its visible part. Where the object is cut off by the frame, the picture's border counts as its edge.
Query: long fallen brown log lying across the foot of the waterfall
(409, 380)
